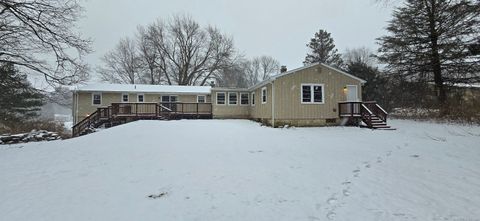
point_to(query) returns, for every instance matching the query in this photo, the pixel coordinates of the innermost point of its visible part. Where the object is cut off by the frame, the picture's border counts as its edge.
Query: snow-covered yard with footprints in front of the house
(239, 170)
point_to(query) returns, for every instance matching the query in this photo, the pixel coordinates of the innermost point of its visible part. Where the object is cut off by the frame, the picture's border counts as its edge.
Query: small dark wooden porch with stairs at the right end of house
(370, 113)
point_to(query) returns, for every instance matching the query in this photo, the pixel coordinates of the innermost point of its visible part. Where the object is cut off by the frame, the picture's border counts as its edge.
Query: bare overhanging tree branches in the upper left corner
(33, 30)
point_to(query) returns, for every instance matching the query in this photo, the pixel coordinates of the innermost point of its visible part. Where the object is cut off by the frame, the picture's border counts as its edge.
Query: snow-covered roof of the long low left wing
(145, 88)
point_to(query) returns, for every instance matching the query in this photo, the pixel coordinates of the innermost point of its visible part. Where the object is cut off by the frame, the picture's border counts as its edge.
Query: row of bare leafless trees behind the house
(179, 51)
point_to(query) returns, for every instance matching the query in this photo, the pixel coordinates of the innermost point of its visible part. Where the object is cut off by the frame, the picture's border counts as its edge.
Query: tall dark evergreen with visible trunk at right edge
(433, 41)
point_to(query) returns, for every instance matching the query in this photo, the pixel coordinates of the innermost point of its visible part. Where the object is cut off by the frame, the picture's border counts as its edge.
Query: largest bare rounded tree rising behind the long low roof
(184, 53)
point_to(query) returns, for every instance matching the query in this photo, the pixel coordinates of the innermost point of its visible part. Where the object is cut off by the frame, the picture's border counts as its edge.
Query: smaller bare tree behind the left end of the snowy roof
(121, 64)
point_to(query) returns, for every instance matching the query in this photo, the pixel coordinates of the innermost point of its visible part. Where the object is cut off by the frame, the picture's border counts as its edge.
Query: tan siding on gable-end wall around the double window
(288, 104)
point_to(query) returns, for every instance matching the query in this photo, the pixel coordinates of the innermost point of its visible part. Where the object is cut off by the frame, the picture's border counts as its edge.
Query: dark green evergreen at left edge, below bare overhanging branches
(19, 101)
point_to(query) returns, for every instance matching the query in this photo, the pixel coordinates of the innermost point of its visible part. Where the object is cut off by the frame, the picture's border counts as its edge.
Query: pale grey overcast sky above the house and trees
(259, 27)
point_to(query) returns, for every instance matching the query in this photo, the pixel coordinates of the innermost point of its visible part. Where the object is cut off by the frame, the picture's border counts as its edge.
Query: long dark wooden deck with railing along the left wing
(120, 113)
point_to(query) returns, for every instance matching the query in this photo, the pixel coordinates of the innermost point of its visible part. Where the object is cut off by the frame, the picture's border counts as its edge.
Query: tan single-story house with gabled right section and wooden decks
(313, 95)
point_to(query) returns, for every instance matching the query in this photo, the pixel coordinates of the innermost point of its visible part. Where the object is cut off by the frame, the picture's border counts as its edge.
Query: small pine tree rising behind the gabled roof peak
(322, 49)
